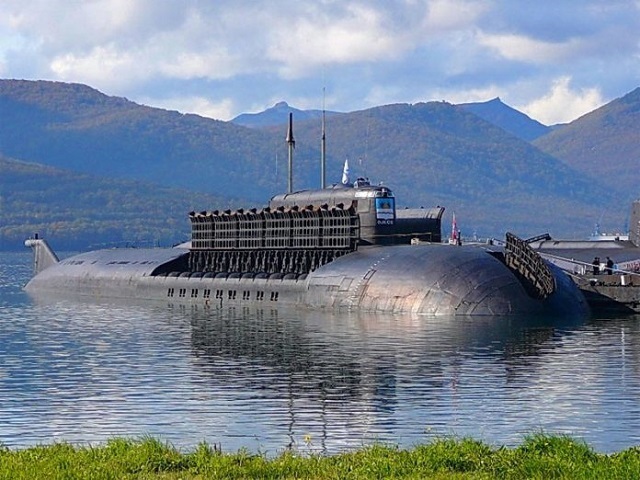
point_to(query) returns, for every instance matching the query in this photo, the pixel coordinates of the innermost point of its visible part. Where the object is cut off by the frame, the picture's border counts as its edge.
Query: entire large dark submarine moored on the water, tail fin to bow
(345, 247)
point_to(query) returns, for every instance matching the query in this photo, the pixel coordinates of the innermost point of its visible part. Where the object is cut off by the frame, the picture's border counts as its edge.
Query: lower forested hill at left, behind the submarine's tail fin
(77, 210)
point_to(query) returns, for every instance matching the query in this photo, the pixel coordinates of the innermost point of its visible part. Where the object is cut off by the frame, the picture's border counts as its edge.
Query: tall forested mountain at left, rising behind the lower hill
(75, 127)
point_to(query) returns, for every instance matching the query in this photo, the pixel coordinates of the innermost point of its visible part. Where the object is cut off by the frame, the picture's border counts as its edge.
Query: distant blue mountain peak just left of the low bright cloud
(507, 118)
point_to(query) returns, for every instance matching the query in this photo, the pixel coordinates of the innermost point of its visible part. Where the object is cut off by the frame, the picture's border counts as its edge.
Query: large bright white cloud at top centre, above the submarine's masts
(365, 32)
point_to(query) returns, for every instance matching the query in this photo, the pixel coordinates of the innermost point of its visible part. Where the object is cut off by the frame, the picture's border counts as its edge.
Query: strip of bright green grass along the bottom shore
(539, 456)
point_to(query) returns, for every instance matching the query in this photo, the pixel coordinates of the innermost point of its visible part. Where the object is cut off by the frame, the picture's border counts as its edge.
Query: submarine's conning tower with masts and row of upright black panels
(301, 231)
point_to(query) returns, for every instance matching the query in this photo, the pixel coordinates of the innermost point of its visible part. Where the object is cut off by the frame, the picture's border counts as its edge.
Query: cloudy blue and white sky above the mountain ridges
(553, 60)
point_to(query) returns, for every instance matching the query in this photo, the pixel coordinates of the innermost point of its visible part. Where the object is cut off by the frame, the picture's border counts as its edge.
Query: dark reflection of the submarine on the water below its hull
(325, 348)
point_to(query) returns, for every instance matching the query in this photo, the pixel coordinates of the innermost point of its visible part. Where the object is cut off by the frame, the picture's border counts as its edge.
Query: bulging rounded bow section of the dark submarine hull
(433, 279)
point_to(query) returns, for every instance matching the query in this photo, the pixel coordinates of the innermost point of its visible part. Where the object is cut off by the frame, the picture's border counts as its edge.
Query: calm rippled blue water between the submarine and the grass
(268, 380)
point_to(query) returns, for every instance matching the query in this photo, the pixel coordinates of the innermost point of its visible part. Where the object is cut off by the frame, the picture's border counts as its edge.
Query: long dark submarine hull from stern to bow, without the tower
(425, 279)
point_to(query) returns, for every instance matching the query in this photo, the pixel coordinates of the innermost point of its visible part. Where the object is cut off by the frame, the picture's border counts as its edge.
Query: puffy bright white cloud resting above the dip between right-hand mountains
(562, 104)
